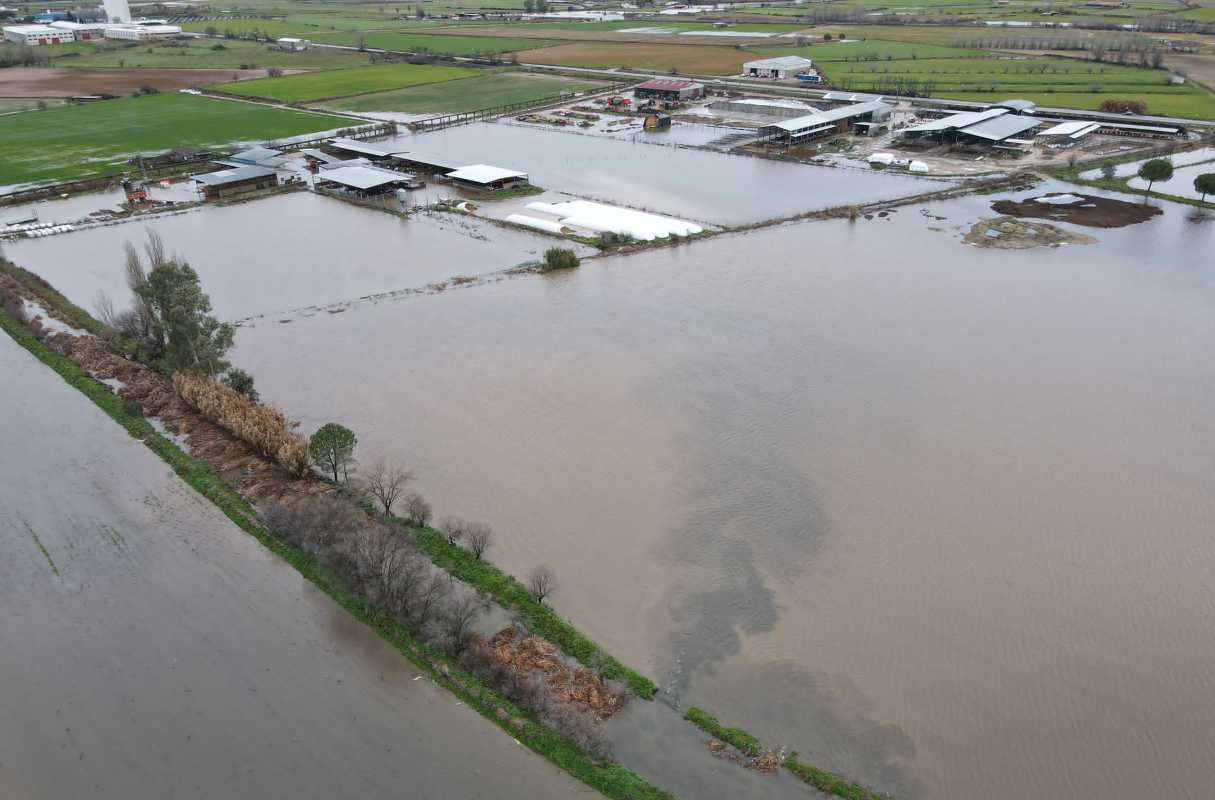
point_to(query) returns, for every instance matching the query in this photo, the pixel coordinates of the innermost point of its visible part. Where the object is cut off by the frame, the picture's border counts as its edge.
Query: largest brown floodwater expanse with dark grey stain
(934, 516)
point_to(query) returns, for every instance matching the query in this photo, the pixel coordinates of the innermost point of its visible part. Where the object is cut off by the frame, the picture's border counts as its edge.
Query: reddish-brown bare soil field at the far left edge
(39, 82)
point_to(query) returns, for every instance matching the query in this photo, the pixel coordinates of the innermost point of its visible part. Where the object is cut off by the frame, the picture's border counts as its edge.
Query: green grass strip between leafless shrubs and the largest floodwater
(511, 594)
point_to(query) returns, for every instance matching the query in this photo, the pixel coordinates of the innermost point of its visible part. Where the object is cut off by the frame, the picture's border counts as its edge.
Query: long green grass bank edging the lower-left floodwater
(611, 779)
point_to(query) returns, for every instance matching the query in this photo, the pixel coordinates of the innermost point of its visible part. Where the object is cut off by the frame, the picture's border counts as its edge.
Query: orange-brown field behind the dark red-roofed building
(707, 61)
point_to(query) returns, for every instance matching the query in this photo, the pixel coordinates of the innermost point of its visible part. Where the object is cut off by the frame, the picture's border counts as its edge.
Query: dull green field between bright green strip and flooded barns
(470, 94)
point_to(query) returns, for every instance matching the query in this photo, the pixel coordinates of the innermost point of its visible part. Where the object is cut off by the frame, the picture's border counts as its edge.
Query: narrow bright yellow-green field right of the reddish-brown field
(344, 83)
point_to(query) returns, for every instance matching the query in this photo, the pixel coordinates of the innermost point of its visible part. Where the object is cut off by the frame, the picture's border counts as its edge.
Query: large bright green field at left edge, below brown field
(71, 143)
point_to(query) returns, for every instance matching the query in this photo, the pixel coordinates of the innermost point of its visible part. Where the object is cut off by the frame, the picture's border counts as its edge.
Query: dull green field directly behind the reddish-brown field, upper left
(202, 54)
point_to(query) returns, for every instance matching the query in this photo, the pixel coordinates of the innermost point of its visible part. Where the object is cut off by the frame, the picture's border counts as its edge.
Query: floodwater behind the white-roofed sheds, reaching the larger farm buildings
(690, 184)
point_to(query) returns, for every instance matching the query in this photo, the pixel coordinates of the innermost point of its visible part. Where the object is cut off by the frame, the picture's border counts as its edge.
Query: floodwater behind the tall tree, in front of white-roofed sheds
(285, 253)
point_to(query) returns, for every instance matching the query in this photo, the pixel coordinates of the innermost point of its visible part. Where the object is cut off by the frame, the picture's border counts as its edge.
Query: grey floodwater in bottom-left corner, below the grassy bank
(152, 650)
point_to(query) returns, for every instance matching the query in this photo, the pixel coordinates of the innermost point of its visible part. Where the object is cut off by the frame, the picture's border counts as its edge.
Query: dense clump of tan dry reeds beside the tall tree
(263, 429)
